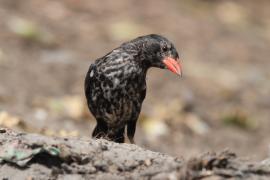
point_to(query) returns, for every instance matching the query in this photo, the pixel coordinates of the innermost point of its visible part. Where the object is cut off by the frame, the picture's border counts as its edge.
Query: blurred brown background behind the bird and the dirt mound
(221, 102)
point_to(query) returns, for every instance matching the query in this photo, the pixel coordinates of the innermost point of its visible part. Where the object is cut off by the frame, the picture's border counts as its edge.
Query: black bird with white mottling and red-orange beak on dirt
(115, 84)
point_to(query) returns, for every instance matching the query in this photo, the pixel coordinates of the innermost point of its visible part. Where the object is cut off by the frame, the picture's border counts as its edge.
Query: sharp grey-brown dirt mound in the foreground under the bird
(33, 156)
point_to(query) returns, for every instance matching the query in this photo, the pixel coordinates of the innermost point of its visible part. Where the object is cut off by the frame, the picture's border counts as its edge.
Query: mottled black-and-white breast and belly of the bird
(116, 94)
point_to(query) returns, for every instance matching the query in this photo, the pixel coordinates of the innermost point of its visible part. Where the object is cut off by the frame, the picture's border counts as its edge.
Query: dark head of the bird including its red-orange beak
(160, 52)
